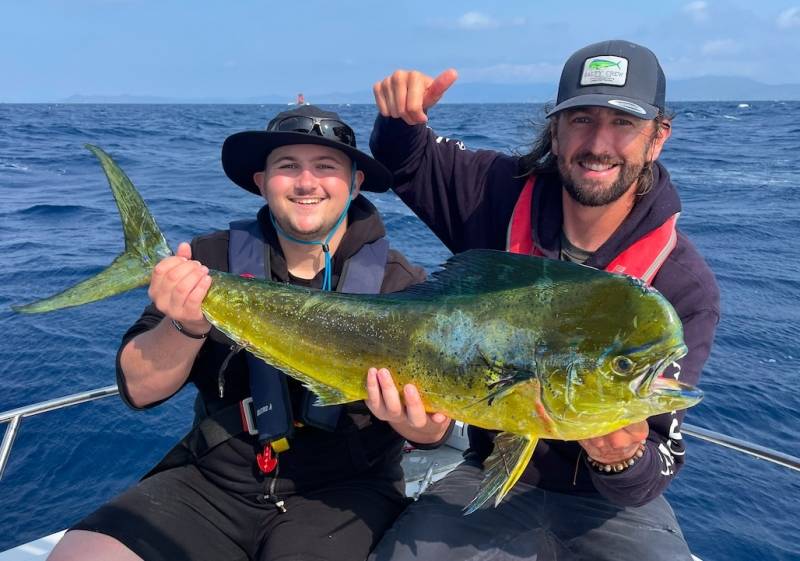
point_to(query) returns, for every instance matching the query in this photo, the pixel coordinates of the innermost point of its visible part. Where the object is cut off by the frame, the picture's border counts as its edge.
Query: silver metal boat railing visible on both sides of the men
(14, 418)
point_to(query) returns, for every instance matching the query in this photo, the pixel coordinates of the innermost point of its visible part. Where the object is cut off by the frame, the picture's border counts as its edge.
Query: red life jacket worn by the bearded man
(642, 259)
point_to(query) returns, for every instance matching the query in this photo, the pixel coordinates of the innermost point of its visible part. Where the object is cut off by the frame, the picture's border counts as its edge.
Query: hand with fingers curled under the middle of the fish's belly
(407, 417)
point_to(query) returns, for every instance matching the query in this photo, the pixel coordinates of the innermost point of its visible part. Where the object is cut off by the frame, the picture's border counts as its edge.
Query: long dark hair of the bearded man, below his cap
(540, 159)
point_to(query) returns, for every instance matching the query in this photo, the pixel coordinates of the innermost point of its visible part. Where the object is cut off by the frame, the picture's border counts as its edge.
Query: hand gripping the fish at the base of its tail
(178, 287)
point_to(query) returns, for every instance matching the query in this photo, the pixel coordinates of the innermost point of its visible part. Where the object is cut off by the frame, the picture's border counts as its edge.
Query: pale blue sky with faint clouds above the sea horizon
(53, 49)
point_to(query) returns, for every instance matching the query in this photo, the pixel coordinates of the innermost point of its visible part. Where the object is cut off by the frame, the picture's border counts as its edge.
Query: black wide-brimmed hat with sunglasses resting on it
(244, 153)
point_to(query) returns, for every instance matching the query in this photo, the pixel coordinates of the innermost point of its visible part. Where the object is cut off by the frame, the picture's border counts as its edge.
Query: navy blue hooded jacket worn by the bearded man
(467, 197)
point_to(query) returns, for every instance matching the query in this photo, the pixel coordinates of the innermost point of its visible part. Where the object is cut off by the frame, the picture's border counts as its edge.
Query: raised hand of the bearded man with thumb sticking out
(408, 94)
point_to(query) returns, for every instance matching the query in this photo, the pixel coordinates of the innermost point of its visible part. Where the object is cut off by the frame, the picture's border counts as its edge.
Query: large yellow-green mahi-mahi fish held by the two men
(531, 347)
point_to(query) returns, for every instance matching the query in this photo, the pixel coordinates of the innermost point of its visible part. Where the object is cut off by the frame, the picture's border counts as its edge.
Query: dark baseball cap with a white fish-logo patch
(615, 74)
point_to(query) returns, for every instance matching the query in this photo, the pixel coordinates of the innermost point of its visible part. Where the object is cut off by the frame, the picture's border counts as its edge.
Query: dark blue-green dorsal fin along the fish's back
(479, 271)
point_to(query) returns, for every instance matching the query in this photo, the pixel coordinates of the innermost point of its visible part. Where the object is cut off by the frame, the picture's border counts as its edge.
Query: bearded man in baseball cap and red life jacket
(593, 192)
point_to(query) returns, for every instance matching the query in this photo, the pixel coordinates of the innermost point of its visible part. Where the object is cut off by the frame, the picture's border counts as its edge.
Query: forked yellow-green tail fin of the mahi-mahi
(144, 247)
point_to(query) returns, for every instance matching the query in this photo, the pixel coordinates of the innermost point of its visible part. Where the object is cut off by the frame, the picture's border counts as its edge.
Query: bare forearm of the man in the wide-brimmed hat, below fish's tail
(156, 363)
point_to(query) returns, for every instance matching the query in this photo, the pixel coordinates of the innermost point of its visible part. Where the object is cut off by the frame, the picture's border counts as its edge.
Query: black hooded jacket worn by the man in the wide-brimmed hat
(360, 443)
